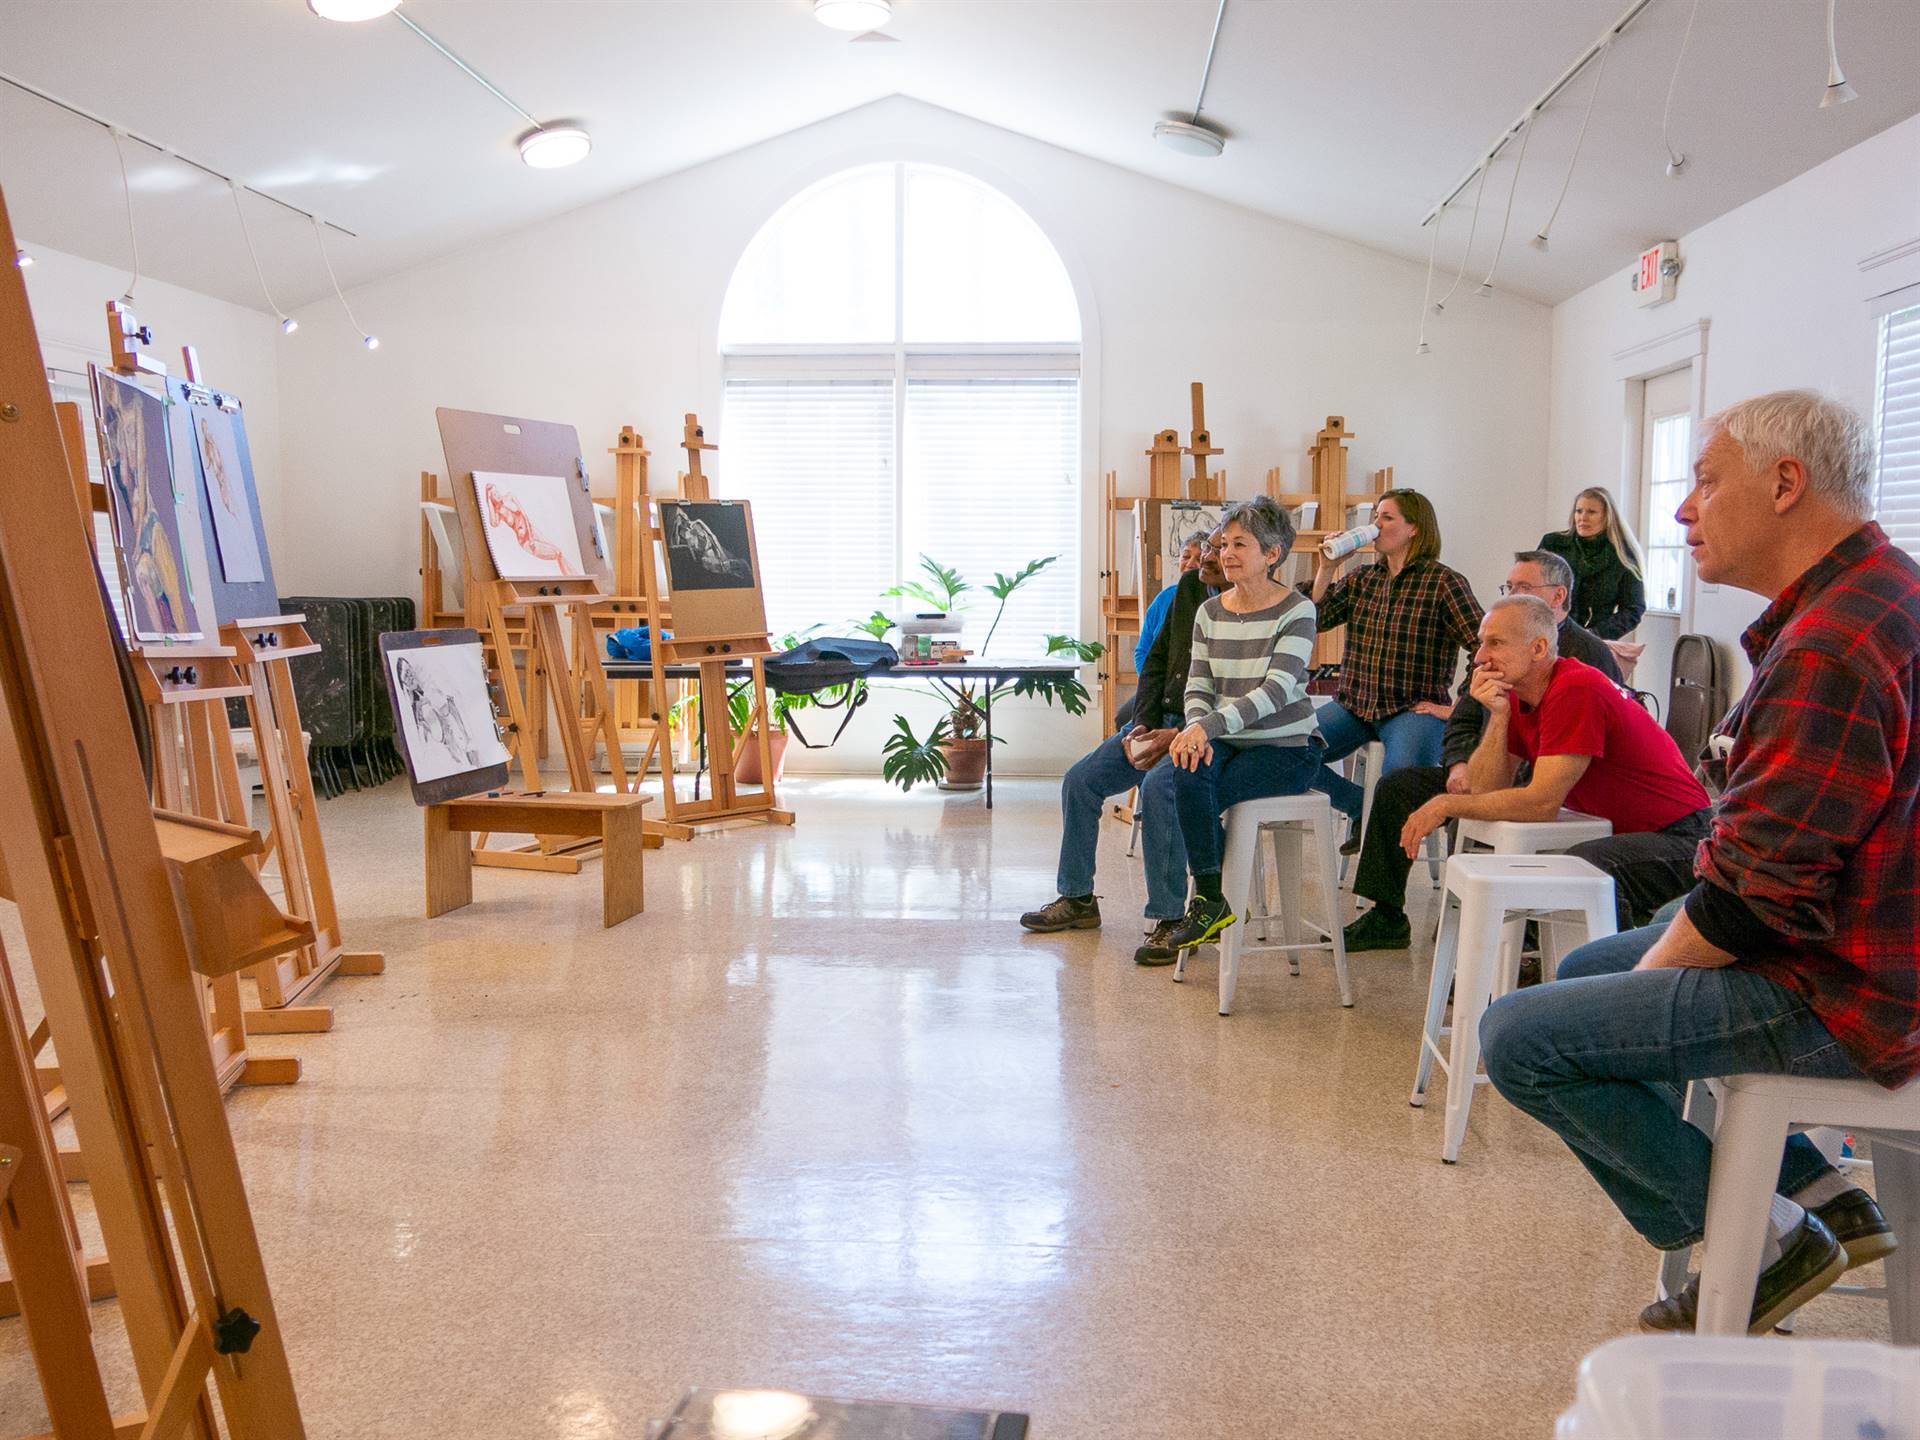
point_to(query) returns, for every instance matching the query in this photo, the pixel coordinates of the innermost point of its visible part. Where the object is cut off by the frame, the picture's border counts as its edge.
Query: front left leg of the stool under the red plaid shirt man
(1746, 1166)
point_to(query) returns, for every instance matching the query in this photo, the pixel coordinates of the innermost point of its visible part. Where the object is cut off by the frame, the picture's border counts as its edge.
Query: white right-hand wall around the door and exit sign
(1785, 297)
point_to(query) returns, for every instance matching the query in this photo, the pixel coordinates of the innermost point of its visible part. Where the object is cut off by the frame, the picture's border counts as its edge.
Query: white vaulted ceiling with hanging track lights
(1349, 116)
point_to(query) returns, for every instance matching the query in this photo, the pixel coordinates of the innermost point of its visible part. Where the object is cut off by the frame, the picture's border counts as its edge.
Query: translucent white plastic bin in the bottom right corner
(1744, 1389)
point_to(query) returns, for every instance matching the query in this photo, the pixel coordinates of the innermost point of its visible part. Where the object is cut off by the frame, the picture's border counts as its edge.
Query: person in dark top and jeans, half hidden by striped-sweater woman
(1136, 757)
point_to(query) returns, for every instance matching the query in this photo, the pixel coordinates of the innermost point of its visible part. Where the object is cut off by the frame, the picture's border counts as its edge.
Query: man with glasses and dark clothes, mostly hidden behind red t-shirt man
(1383, 865)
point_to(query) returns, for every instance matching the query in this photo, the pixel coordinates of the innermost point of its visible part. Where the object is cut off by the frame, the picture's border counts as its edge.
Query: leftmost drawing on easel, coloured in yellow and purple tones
(147, 523)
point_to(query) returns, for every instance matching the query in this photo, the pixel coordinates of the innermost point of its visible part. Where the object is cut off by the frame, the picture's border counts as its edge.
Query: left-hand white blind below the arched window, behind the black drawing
(817, 462)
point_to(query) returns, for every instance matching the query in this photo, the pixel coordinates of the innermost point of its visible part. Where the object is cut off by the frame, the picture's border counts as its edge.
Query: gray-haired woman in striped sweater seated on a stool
(1251, 727)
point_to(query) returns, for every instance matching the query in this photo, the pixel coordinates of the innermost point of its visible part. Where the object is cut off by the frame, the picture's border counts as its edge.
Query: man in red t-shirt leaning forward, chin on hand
(1591, 746)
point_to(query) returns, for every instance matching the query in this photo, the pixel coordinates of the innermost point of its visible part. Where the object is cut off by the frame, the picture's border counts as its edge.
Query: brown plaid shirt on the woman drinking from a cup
(1404, 635)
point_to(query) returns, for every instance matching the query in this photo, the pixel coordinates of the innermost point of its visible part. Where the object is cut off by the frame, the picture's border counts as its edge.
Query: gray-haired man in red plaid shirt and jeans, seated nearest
(1798, 949)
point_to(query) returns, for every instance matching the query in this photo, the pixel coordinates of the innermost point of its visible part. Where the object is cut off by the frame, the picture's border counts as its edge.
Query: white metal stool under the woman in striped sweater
(1289, 821)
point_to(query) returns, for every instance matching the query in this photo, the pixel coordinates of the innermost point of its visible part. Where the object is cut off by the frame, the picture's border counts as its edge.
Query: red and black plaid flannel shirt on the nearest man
(1812, 875)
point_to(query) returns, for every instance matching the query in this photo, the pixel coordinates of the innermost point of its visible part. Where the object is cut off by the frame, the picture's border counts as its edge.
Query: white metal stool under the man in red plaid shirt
(1754, 1118)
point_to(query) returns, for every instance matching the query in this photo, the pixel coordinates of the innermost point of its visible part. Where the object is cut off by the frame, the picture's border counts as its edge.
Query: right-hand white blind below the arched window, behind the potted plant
(992, 471)
